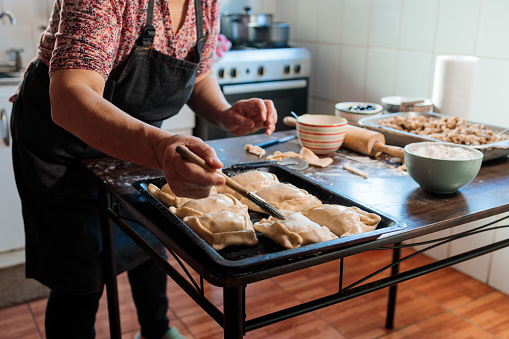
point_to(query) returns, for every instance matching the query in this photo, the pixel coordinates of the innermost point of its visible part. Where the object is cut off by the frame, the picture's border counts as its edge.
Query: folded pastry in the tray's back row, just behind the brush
(285, 197)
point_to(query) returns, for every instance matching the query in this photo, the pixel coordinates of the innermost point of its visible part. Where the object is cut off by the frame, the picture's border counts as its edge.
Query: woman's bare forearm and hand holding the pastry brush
(77, 106)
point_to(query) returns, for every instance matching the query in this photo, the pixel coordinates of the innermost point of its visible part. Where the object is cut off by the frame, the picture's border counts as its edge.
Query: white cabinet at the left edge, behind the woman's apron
(12, 237)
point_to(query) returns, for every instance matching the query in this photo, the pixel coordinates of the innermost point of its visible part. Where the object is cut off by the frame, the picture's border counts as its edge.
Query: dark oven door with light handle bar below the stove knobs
(287, 95)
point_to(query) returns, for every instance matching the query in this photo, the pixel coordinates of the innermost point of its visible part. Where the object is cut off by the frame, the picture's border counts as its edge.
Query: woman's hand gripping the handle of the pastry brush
(185, 178)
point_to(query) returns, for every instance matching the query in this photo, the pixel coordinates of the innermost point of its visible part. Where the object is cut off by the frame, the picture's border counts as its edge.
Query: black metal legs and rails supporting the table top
(232, 319)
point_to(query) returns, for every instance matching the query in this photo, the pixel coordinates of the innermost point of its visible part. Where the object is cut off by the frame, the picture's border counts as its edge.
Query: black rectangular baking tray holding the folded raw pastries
(267, 250)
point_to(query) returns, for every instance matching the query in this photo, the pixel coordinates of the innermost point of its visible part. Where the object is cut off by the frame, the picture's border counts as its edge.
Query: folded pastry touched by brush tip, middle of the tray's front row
(295, 231)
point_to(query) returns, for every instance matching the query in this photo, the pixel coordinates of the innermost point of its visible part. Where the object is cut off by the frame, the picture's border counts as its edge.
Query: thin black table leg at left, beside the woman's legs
(109, 266)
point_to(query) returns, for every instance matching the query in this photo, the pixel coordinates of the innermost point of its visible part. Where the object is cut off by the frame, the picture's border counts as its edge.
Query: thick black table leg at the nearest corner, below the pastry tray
(234, 299)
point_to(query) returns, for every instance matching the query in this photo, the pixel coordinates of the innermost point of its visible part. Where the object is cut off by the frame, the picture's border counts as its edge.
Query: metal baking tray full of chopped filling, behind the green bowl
(399, 138)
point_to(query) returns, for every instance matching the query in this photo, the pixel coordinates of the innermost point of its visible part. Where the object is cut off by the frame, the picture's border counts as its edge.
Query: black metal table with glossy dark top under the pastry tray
(485, 197)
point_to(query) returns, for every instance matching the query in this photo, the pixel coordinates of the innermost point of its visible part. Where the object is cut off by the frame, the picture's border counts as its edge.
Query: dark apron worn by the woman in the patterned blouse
(59, 199)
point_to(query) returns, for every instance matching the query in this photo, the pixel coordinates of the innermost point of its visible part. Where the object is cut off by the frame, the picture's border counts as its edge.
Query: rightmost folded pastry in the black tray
(342, 220)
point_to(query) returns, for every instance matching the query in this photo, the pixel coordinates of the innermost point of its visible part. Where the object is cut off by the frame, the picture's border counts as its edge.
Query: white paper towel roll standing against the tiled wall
(453, 85)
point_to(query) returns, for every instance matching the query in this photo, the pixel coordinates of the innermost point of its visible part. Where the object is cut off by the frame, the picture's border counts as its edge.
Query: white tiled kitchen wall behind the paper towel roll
(365, 49)
